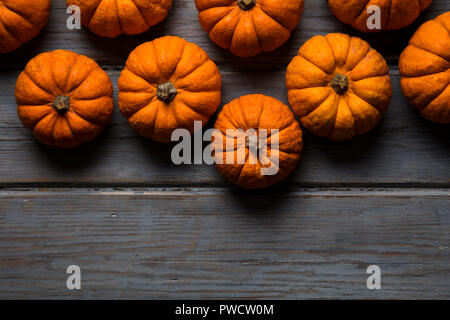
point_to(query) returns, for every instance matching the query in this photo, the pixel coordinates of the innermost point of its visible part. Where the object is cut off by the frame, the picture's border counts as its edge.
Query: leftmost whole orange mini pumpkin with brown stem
(64, 98)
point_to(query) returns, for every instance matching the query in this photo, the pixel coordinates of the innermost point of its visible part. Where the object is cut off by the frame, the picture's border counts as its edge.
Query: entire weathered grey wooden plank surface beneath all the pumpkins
(140, 227)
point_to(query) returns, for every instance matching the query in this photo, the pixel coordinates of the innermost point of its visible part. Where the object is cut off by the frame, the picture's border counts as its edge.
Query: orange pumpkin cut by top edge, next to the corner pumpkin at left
(110, 19)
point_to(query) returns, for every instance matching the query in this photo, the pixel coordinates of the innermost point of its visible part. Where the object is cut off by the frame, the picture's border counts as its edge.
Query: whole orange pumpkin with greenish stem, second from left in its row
(168, 84)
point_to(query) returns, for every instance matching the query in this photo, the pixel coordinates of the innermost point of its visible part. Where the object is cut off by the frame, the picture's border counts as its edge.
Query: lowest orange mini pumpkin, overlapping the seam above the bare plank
(257, 112)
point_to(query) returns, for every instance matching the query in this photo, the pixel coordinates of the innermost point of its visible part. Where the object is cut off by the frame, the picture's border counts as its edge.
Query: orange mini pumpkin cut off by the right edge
(425, 69)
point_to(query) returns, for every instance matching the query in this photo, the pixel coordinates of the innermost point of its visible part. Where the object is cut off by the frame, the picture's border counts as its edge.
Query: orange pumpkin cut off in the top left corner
(21, 21)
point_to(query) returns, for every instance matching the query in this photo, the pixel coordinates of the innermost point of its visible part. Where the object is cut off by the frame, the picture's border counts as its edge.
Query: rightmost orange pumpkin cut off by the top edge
(393, 14)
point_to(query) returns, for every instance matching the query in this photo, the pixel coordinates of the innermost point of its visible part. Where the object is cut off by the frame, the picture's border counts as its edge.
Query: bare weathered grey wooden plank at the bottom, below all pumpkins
(151, 243)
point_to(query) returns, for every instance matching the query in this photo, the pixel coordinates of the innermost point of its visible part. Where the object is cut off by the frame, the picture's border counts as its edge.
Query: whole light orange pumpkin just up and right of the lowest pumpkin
(338, 86)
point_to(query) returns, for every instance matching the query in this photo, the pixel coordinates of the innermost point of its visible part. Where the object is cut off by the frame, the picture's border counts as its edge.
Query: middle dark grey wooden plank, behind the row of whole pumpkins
(403, 149)
